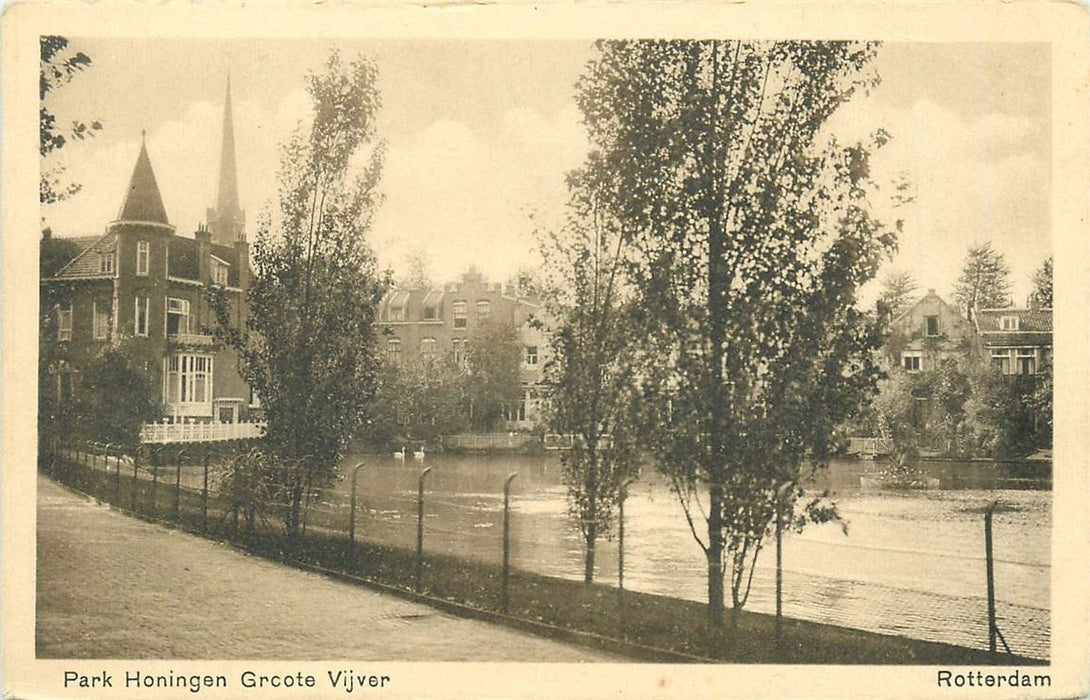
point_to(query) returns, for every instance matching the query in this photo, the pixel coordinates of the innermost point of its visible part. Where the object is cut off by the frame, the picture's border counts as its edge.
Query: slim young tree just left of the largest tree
(592, 370)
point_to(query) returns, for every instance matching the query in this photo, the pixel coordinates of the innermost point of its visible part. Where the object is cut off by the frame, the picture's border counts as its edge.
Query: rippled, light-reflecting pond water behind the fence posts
(912, 562)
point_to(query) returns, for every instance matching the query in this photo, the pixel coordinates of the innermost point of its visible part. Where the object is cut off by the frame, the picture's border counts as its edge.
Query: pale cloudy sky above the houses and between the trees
(481, 134)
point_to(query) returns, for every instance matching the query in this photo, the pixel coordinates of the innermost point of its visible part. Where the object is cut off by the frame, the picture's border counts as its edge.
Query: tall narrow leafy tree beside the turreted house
(310, 348)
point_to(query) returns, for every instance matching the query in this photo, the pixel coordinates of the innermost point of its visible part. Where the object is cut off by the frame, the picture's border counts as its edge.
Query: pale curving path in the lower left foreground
(113, 587)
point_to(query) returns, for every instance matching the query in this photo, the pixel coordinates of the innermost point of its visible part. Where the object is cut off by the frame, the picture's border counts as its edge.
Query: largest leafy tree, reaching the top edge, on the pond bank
(749, 236)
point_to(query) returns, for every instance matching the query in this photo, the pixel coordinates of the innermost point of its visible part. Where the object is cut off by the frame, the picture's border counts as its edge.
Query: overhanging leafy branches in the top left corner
(57, 68)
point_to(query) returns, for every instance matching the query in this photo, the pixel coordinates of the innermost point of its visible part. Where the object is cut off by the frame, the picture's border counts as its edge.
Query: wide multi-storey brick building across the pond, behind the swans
(440, 322)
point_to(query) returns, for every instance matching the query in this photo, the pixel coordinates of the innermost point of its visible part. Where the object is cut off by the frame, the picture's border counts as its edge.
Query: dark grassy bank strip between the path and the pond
(652, 629)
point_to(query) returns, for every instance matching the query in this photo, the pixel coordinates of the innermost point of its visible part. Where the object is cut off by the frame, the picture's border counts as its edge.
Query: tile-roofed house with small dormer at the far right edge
(1015, 342)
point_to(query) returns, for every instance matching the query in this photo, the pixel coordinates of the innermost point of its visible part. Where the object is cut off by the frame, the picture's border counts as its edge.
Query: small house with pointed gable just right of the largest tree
(927, 333)
